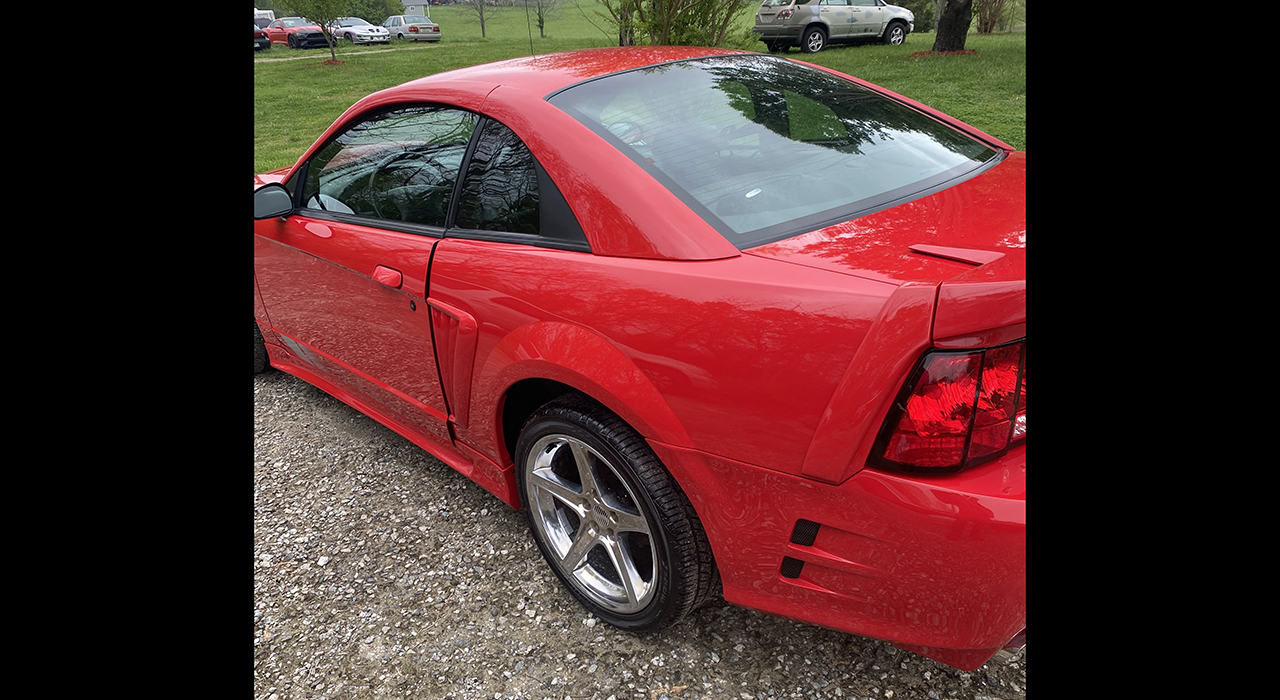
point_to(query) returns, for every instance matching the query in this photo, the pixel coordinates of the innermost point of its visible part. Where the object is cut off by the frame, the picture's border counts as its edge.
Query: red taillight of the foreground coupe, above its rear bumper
(958, 409)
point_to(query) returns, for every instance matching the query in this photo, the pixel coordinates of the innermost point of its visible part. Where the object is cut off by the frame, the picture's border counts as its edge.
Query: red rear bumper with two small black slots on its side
(934, 565)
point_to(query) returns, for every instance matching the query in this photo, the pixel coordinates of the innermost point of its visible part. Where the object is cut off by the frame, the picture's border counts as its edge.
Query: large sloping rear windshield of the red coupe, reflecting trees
(765, 149)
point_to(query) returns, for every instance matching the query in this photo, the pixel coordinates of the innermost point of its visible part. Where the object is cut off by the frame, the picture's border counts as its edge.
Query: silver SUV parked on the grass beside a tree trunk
(811, 25)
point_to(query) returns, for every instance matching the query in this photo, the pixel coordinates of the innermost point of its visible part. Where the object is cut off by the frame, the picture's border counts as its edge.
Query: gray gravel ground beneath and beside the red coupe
(381, 573)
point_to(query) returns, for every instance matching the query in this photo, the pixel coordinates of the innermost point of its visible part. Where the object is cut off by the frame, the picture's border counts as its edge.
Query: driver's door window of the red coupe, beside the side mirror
(399, 166)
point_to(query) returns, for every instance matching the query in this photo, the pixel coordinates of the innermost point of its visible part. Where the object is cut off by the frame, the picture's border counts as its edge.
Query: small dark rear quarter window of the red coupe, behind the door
(501, 189)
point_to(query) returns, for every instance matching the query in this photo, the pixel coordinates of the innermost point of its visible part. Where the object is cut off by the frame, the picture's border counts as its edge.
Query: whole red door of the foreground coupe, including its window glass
(345, 278)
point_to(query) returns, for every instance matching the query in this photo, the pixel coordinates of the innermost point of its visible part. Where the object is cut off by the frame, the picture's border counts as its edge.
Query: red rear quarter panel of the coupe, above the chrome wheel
(744, 353)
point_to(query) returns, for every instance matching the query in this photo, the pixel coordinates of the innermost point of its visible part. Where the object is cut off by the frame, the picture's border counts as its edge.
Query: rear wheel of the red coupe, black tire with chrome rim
(628, 488)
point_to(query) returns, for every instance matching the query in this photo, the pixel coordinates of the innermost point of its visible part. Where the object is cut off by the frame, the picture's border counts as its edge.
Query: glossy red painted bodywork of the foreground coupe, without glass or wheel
(760, 378)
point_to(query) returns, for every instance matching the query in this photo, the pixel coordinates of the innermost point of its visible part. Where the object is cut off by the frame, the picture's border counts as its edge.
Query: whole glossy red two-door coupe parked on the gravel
(711, 318)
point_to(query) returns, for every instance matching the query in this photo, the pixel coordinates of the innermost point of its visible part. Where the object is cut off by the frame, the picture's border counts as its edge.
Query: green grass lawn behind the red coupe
(296, 100)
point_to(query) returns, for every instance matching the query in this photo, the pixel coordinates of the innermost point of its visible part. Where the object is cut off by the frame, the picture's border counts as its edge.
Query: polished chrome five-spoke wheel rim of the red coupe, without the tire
(589, 519)
